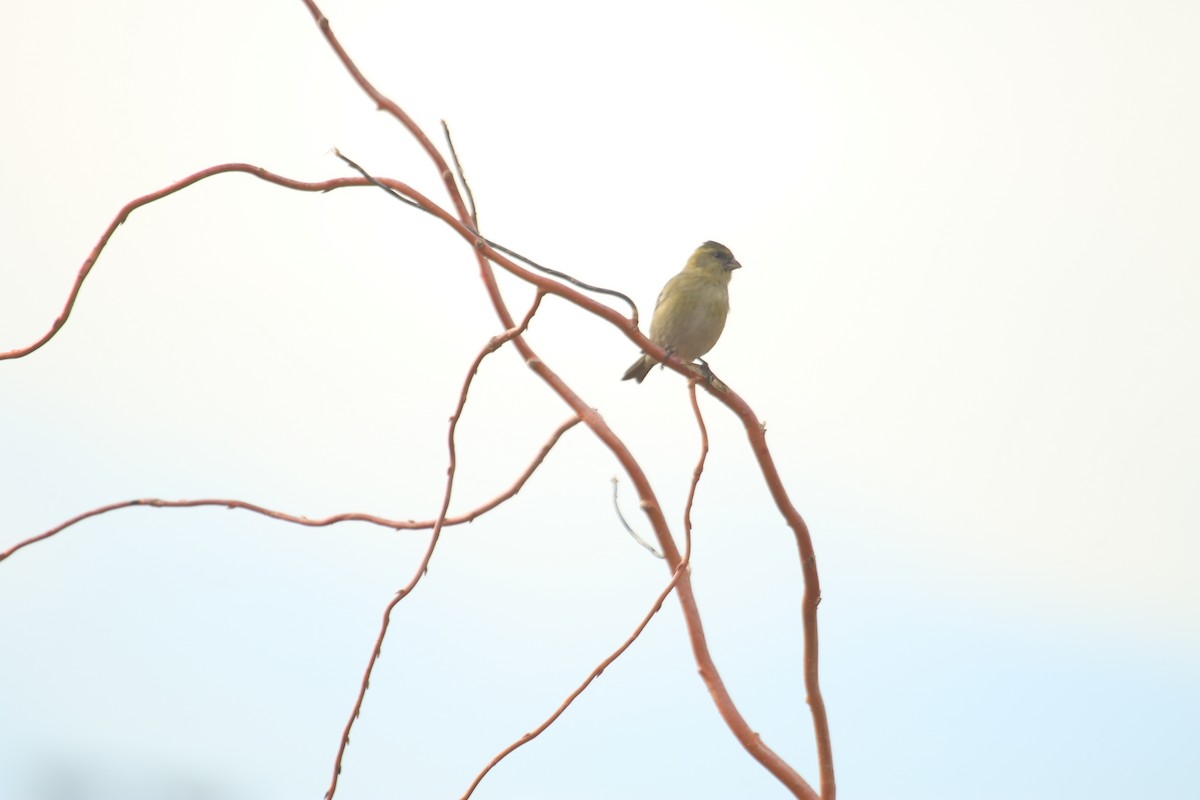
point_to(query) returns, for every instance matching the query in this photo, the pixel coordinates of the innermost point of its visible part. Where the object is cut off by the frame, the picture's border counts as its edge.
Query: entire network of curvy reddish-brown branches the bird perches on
(487, 254)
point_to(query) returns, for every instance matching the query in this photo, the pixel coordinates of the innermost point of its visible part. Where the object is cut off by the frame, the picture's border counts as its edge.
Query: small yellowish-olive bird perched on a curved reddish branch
(691, 314)
